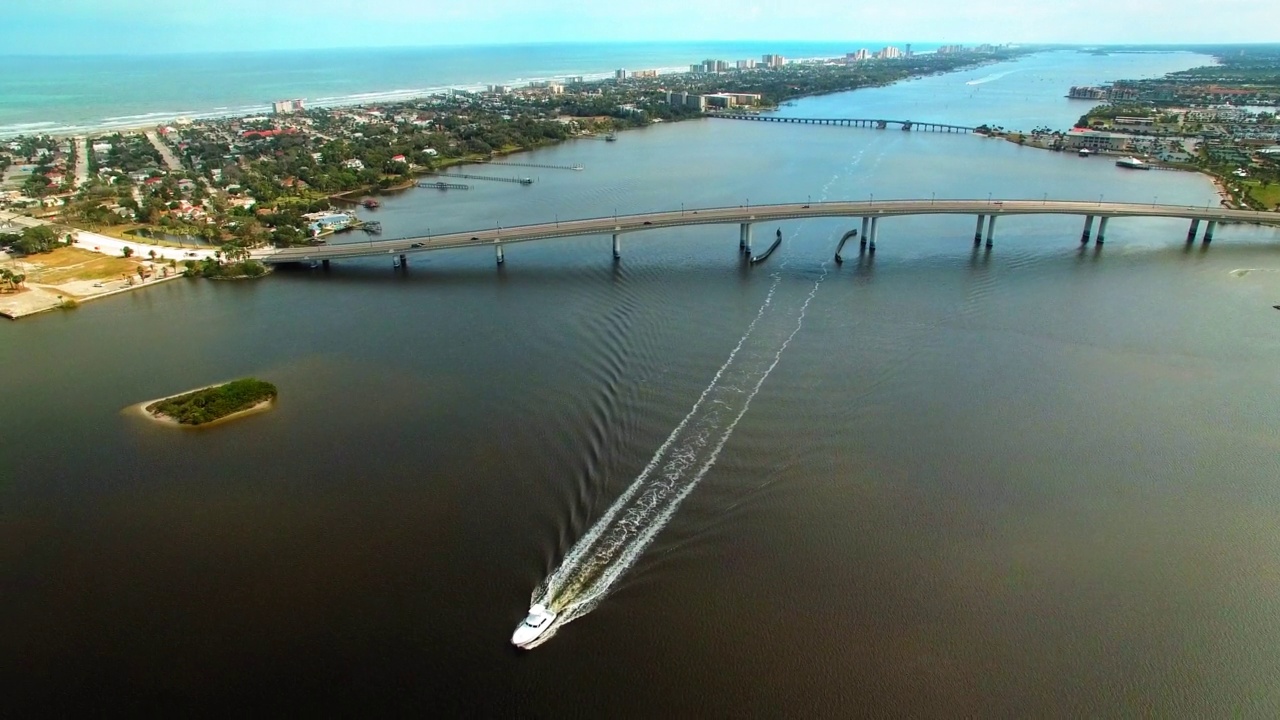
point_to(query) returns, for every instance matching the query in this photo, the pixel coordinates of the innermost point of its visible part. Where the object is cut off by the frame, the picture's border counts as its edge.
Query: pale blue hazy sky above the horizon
(150, 26)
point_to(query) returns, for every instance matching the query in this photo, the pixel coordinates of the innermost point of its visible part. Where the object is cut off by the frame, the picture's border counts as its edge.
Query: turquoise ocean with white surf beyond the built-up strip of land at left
(71, 94)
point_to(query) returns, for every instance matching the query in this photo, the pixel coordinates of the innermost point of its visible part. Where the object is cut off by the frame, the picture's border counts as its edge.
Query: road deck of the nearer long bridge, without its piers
(762, 215)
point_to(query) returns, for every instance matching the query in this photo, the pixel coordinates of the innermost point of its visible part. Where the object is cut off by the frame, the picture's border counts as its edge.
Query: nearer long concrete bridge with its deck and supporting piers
(870, 212)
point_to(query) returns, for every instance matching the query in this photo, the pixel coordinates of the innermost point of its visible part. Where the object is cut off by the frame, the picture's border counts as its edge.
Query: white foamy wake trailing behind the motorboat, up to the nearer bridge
(618, 540)
